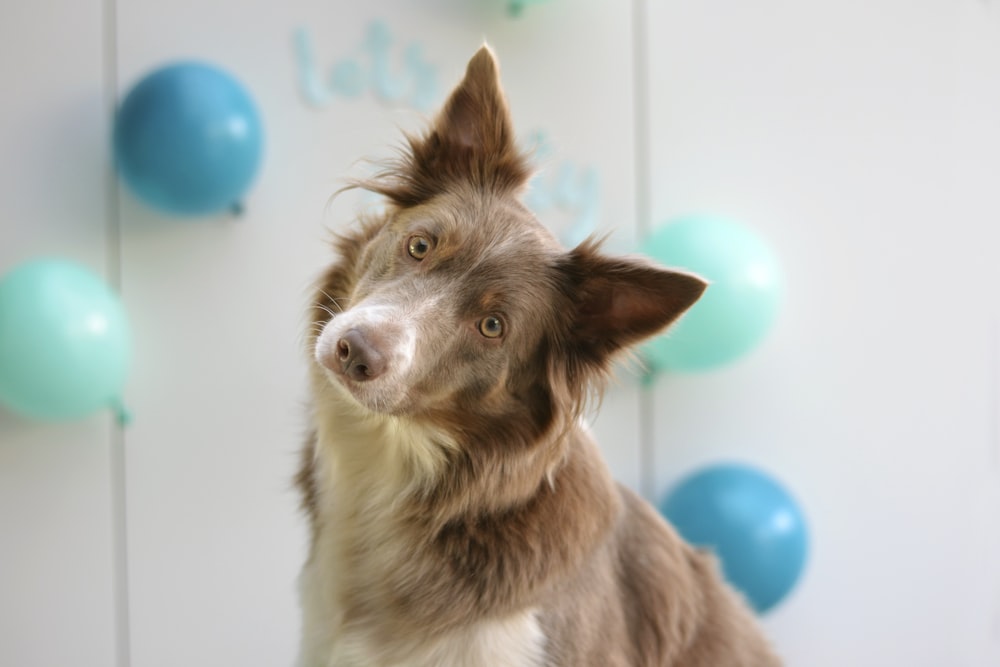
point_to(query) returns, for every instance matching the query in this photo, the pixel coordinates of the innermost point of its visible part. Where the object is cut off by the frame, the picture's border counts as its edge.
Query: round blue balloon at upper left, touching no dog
(188, 140)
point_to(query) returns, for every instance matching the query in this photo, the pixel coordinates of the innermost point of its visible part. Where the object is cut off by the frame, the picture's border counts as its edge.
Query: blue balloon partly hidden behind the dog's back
(751, 522)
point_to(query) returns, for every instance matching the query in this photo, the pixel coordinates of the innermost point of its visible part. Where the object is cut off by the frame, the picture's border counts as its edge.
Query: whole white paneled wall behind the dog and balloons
(860, 138)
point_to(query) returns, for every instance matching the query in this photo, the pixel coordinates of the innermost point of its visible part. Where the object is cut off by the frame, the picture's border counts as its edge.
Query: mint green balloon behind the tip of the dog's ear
(739, 307)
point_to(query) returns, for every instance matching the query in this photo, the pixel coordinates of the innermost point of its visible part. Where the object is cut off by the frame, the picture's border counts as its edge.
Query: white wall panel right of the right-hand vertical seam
(862, 139)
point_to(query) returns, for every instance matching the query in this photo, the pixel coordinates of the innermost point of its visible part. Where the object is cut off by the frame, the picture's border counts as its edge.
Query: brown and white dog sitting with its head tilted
(460, 516)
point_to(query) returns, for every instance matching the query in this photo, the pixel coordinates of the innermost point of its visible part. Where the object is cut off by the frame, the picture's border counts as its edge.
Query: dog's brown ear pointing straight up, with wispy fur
(471, 141)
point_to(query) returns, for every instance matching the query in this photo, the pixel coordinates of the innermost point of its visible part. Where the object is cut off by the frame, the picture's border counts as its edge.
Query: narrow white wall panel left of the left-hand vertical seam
(57, 556)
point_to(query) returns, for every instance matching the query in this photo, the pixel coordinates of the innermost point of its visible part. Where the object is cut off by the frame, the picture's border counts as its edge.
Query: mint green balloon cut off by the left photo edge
(65, 344)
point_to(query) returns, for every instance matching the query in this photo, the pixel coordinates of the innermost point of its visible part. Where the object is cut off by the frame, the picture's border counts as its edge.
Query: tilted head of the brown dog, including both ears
(458, 309)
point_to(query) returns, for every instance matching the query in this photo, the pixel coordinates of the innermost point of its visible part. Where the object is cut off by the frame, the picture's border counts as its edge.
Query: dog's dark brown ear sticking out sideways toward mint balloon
(620, 301)
